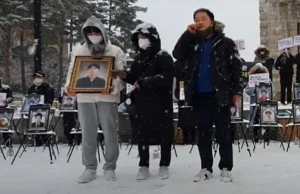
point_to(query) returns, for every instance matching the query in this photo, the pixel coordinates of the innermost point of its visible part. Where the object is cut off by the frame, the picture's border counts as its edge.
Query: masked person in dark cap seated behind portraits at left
(42, 88)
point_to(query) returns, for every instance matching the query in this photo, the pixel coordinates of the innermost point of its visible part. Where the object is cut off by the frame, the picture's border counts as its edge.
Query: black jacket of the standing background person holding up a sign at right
(285, 64)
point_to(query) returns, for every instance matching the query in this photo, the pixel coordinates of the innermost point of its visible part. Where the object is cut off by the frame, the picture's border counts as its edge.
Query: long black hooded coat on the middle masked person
(152, 69)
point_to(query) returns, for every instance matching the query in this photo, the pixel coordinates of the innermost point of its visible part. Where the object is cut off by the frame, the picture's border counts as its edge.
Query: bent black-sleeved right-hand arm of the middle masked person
(164, 78)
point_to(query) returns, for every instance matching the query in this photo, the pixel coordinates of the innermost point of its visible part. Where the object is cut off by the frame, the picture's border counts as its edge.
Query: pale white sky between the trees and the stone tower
(171, 17)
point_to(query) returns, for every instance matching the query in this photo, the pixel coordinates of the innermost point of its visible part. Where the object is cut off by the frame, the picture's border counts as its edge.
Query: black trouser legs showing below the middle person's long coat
(165, 151)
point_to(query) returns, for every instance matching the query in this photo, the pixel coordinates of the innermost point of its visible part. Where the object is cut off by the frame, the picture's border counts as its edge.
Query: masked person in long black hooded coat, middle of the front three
(152, 75)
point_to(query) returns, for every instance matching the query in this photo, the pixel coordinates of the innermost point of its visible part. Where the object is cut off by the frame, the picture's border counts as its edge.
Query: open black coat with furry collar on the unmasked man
(224, 60)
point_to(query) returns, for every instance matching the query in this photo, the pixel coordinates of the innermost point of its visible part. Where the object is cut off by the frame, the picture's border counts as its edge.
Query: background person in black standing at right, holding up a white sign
(284, 64)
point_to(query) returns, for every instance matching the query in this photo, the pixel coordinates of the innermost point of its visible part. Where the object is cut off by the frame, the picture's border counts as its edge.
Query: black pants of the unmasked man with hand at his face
(208, 113)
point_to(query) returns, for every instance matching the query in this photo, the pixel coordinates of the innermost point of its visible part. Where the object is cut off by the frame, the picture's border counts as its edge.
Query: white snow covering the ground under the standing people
(269, 170)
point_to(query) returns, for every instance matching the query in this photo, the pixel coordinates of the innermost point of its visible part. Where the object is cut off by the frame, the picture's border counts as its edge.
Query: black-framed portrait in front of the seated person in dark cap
(38, 118)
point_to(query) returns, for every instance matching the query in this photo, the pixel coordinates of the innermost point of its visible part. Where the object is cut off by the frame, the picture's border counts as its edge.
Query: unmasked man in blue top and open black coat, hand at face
(213, 85)
